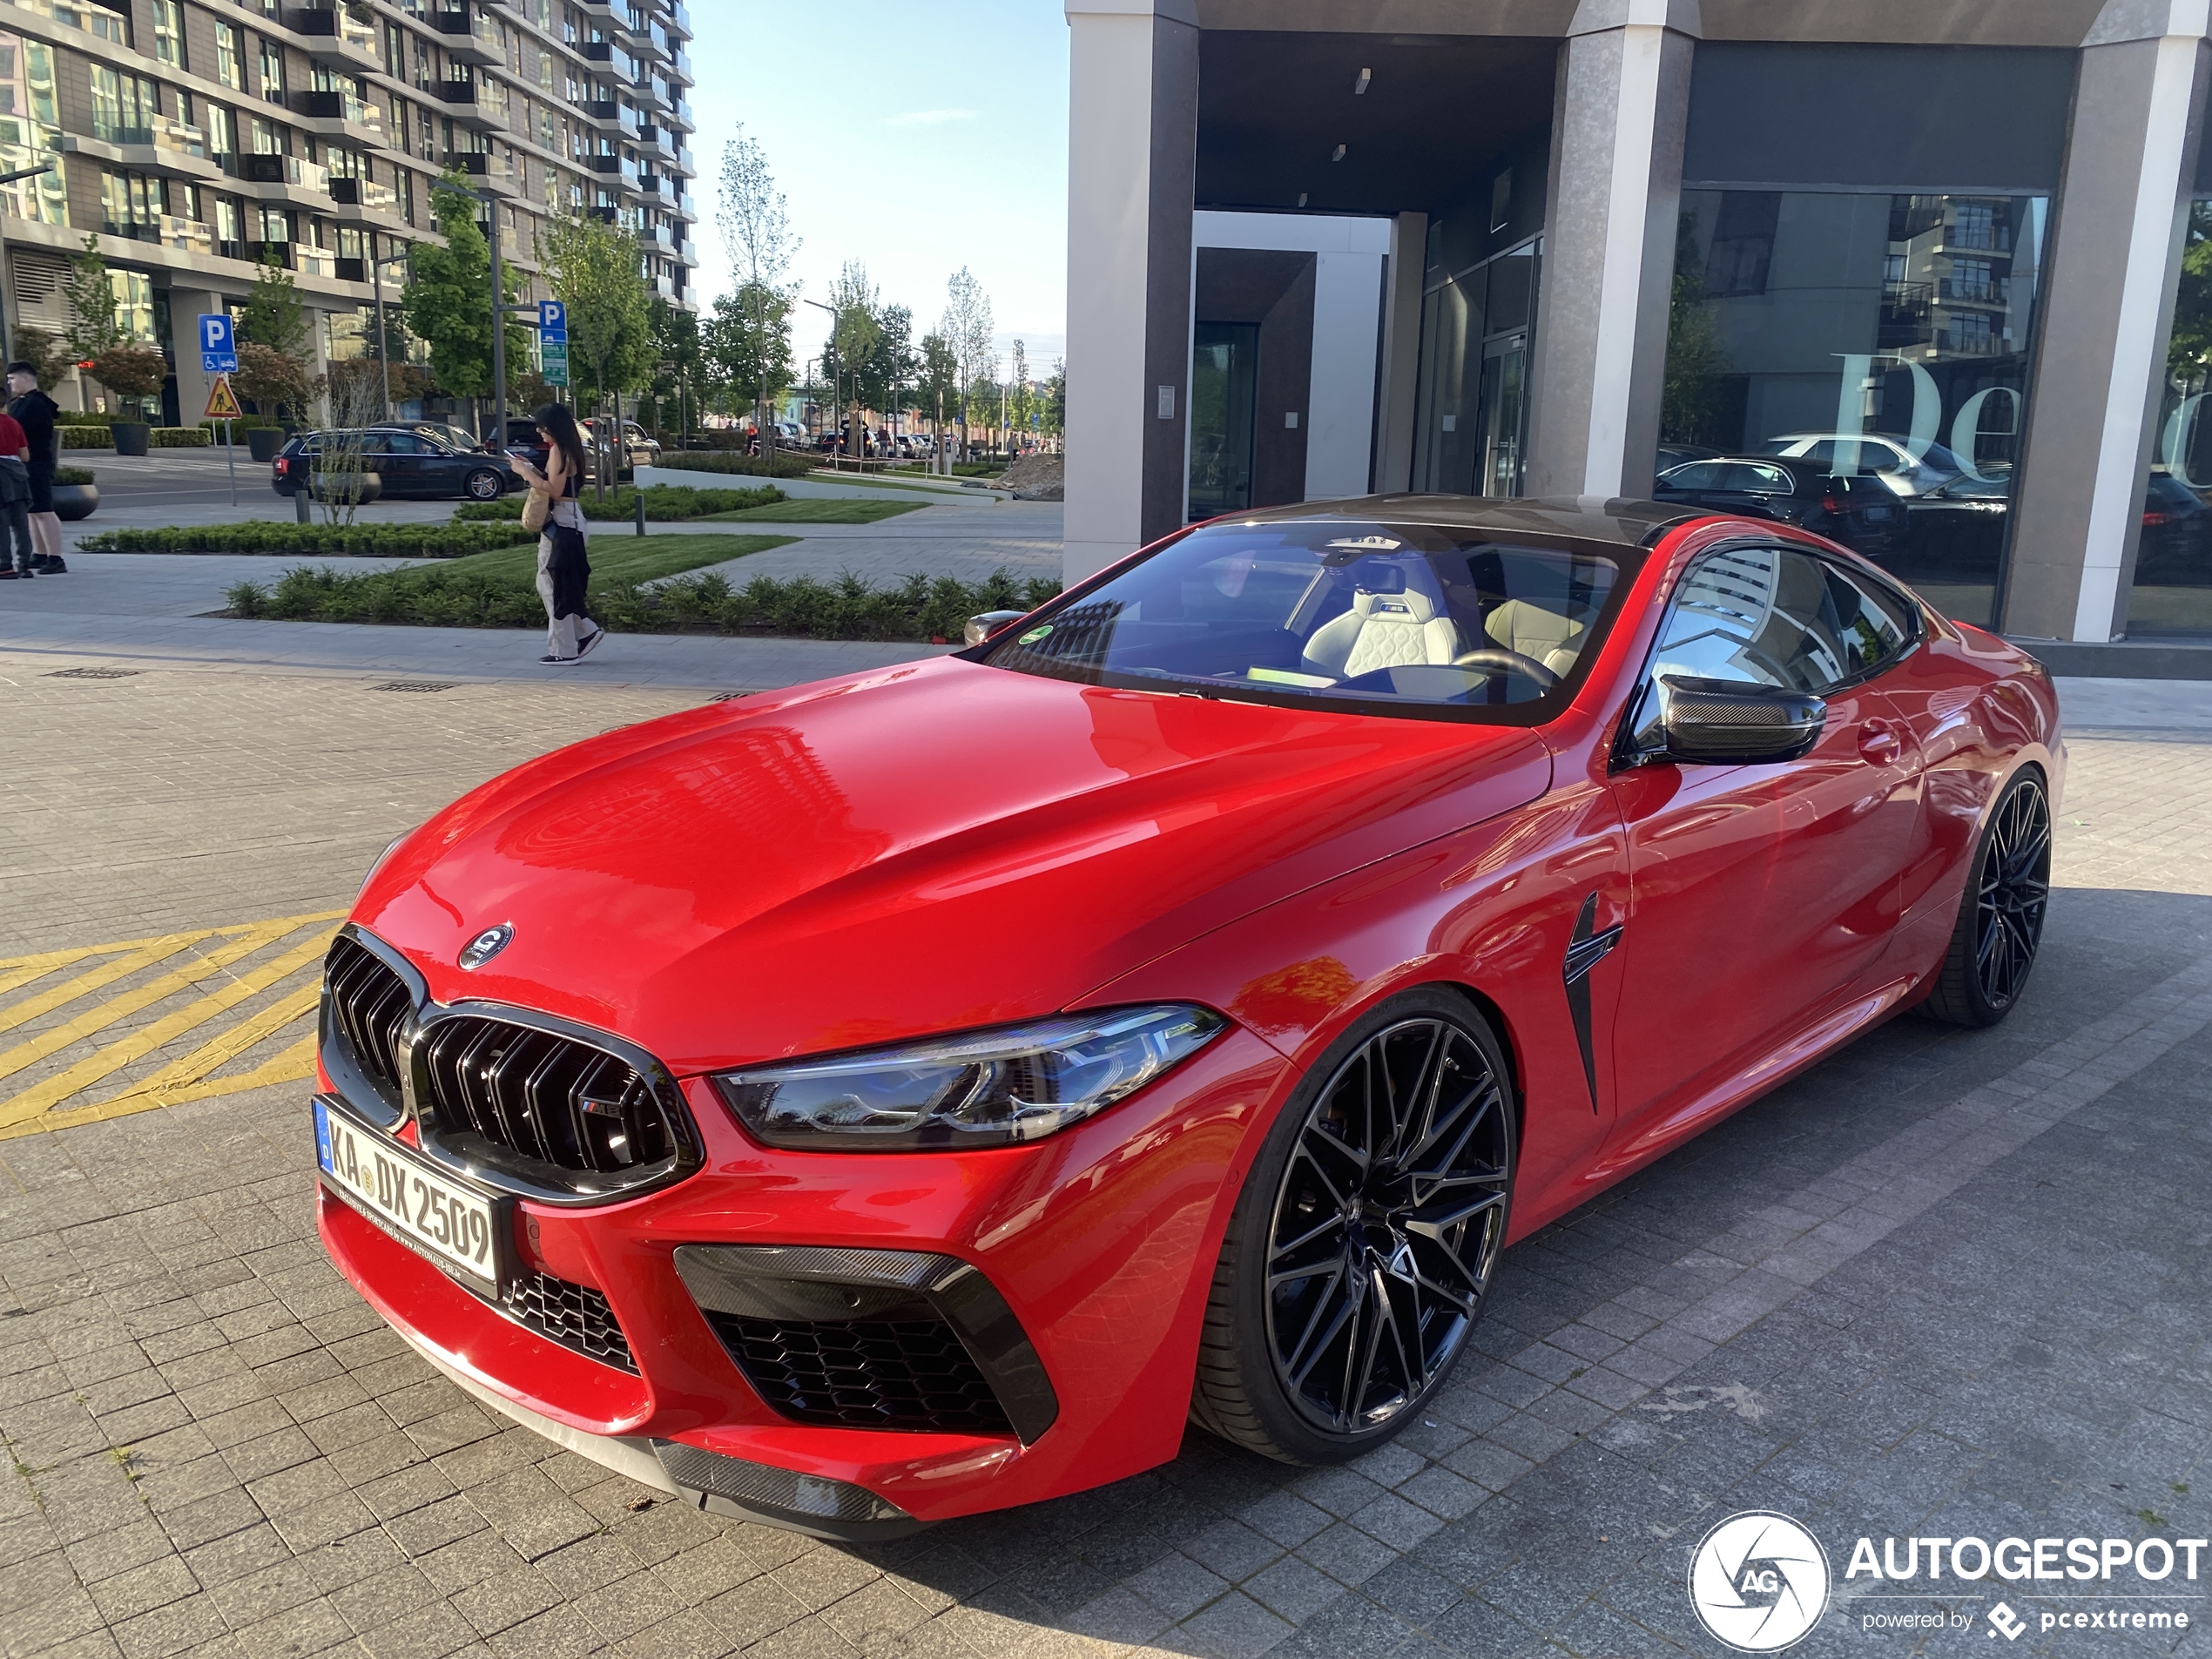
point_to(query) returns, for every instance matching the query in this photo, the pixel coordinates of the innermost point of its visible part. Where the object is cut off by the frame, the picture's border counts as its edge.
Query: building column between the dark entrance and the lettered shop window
(1609, 247)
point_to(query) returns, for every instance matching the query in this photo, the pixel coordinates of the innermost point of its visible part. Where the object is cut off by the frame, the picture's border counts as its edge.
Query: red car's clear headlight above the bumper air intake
(985, 1089)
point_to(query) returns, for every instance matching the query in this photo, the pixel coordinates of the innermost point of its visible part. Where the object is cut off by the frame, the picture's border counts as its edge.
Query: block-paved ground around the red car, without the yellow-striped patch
(1943, 1284)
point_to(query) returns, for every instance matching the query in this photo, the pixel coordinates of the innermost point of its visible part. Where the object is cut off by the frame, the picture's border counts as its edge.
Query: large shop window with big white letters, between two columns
(1884, 344)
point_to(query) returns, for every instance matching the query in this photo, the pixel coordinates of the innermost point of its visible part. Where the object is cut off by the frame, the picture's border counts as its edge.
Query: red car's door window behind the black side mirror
(1768, 616)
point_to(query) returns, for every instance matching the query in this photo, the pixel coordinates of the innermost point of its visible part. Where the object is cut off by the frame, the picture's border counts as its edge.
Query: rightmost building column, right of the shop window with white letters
(2107, 313)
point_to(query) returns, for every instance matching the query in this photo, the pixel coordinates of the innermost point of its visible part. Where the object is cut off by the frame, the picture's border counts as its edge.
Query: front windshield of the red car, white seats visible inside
(1386, 616)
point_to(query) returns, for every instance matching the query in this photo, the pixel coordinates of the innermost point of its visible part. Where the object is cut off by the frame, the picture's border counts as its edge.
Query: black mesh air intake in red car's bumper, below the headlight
(866, 1373)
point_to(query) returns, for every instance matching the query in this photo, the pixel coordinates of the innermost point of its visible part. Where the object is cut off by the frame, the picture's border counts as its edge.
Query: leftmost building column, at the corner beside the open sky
(1134, 127)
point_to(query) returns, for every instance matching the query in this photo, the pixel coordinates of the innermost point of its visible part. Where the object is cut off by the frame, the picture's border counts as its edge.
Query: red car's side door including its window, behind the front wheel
(1762, 895)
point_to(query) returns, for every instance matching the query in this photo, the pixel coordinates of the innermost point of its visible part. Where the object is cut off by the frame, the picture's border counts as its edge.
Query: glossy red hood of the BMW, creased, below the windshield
(910, 851)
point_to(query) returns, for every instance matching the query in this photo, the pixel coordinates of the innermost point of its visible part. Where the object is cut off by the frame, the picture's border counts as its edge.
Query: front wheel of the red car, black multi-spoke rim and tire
(1401, 1246)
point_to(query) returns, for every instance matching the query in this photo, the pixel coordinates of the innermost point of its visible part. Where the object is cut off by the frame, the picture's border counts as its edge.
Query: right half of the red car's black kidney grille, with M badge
(550, 1098)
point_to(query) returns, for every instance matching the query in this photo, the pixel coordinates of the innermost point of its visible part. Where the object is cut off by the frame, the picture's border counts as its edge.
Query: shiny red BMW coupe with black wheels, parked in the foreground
(930, 1089)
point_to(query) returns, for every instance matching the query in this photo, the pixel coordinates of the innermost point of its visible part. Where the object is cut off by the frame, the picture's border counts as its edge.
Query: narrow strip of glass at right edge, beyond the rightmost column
(2173, 556)
